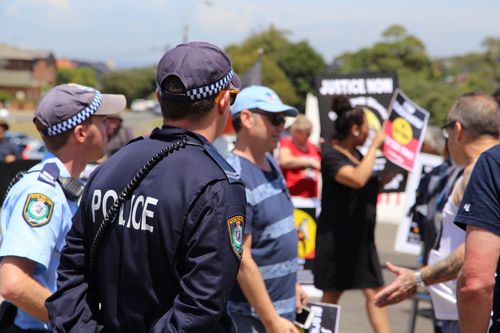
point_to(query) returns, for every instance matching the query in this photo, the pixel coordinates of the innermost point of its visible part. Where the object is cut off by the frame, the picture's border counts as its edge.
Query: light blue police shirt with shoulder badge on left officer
(34, 221)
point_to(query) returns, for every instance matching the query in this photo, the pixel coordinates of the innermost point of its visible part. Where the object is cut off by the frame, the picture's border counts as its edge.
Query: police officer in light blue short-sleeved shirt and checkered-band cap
(37, 211)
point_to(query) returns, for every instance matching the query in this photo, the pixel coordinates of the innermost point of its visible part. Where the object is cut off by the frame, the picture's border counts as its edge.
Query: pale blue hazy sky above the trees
(136, 32)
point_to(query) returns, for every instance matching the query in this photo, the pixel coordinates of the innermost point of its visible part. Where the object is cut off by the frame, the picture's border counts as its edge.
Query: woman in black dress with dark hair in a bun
(346, 257)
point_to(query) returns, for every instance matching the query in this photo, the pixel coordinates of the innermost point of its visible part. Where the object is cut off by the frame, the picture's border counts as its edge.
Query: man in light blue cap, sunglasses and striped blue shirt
(267, 295)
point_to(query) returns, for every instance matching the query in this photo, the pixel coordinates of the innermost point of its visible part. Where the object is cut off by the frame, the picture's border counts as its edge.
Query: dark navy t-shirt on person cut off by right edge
(480, 206)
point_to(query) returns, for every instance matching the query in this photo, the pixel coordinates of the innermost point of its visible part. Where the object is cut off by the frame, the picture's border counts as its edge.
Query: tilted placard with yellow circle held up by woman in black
(405, 130)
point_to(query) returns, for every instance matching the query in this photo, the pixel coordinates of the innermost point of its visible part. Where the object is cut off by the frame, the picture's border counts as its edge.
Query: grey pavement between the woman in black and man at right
(353, 317)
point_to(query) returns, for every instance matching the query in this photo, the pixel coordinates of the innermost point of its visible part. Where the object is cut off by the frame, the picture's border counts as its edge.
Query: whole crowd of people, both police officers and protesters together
(166, 234)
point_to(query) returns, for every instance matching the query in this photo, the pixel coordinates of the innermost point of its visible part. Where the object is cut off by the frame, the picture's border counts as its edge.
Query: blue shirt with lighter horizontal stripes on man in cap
(269, 218)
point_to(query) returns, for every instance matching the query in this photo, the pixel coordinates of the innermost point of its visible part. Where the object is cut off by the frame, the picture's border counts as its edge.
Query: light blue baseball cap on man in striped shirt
(262, 98)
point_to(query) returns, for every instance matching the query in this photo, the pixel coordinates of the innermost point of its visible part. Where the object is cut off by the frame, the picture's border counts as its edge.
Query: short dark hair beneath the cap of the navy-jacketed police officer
(185, 108)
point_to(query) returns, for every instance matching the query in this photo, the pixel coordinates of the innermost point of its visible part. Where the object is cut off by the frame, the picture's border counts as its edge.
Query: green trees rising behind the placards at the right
(433, 84)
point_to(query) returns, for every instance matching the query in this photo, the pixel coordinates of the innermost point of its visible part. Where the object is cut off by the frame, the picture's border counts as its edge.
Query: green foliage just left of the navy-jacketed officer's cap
(135, 83)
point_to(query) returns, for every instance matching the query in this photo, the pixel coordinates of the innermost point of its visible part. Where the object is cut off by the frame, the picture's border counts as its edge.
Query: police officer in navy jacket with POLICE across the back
(170, 257)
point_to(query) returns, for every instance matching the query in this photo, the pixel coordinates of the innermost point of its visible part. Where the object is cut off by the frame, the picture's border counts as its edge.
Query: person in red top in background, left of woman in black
(300, 160)
